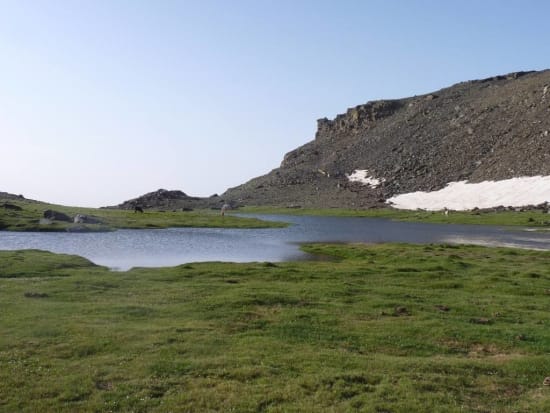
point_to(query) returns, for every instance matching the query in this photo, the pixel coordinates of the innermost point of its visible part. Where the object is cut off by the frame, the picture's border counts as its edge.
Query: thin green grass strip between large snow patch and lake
(505, 218)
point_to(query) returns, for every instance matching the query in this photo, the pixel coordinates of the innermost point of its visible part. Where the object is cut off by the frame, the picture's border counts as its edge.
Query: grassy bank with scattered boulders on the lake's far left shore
(28, 218)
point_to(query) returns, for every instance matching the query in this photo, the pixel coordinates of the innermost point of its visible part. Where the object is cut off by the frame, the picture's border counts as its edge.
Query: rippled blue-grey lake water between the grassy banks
(124, 249)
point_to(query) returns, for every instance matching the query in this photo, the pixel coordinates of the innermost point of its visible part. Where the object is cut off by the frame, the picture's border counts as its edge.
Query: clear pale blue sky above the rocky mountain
(101, 101)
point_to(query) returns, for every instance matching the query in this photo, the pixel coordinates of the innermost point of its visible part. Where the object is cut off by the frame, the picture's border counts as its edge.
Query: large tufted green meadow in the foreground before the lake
(382, 328)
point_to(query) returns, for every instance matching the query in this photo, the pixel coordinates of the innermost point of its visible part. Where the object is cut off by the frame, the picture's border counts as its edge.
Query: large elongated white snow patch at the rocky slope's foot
(462, 196)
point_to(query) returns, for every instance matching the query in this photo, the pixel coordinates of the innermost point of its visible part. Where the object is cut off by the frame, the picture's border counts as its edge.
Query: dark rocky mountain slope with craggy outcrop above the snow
(491, 129)
